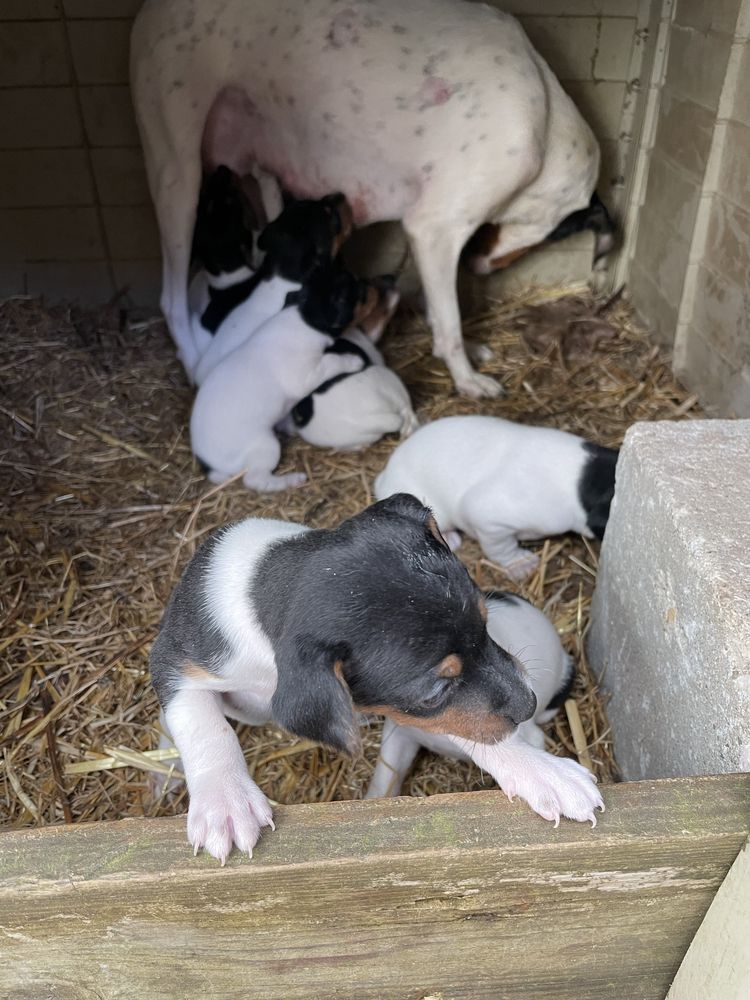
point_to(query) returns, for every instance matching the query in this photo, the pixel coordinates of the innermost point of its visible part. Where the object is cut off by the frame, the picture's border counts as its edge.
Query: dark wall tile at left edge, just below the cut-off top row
(33, 54)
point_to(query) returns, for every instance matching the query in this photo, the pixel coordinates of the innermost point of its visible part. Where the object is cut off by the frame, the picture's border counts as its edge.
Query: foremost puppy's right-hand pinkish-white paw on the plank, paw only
(555, 787)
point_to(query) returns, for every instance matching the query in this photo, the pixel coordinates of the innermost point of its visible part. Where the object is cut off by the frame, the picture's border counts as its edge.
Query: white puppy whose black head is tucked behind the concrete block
(502, 483)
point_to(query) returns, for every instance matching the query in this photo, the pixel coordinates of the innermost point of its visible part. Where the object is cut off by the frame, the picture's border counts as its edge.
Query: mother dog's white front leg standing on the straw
(436, 251)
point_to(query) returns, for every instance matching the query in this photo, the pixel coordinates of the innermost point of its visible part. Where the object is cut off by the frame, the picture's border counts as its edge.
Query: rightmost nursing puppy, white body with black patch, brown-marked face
(352, 411)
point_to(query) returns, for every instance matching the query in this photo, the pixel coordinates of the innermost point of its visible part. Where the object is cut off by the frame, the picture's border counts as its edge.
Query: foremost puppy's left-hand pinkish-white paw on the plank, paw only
(230, 812)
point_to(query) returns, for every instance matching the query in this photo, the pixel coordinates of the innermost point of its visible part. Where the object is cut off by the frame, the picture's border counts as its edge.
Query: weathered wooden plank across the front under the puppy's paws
(461, 896)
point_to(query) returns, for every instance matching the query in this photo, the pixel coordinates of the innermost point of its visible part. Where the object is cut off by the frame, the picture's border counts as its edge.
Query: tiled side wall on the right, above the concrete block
(690, 267)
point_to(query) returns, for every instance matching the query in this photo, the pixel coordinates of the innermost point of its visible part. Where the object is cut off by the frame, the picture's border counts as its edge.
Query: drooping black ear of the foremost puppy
(312, 698)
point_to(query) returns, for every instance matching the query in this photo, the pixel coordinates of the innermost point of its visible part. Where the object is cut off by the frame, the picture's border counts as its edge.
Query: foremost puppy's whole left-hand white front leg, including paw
(226, 806)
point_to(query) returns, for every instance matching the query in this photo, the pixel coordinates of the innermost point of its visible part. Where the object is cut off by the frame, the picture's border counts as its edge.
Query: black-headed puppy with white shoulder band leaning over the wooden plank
(274, 621)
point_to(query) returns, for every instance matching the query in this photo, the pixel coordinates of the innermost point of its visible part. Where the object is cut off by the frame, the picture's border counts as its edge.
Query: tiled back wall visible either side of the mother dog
(75, 218)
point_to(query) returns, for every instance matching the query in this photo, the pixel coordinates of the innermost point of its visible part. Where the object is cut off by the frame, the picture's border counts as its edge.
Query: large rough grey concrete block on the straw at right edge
(670, 622)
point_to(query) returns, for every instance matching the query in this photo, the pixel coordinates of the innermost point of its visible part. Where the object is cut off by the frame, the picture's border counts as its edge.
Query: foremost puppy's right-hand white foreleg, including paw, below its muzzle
(552, 786)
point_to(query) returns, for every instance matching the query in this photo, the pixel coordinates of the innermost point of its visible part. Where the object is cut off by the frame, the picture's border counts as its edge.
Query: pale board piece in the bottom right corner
(717, 965)
